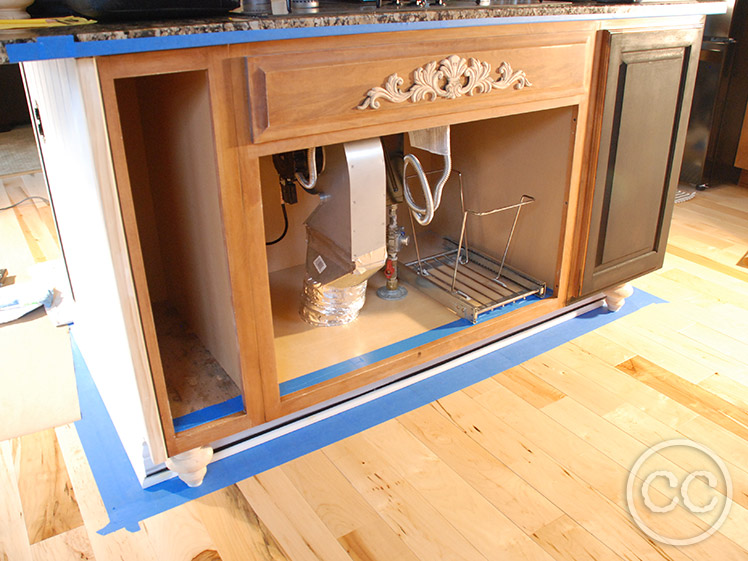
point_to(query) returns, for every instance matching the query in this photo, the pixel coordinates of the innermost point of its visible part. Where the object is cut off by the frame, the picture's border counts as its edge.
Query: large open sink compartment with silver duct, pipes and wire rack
(508, 259)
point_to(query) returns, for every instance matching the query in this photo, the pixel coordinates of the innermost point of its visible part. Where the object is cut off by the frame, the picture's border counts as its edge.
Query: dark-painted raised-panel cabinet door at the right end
(644, 117)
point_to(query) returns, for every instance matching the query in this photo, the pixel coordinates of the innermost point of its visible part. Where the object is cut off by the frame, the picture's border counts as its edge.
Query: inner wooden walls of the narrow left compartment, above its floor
(176, 192)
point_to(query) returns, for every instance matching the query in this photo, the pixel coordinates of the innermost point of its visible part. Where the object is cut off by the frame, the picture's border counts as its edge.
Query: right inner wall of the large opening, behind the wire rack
(501, 160)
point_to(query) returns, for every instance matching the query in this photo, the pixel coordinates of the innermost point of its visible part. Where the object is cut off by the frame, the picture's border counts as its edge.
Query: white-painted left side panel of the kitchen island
(79, 172)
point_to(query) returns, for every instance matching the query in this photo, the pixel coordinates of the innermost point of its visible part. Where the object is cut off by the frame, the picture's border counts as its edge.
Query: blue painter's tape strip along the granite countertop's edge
(65, 46)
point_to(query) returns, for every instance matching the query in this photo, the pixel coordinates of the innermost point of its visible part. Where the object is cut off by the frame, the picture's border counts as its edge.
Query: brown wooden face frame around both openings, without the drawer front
(237, 160)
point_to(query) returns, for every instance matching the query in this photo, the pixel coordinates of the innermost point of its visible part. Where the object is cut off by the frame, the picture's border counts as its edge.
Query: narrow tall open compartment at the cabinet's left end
(187, 312)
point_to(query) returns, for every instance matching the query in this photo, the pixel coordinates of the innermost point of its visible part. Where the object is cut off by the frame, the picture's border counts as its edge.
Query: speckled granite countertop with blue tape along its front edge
(97, 39)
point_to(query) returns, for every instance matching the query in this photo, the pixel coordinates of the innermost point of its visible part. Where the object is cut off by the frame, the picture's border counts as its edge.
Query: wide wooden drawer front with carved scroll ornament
(301, 93)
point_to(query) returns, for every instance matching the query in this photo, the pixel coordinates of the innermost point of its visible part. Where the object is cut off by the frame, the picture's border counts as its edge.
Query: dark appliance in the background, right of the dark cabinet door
(709, 125)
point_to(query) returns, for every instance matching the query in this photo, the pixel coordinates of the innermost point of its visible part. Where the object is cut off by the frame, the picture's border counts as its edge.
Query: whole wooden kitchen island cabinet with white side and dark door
(180, 185)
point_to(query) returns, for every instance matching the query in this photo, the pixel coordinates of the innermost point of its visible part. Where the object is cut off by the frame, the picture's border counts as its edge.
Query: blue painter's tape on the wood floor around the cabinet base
(127, 503)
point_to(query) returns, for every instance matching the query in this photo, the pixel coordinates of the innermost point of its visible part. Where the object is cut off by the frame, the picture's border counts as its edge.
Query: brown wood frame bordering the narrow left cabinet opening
(236, 216)
